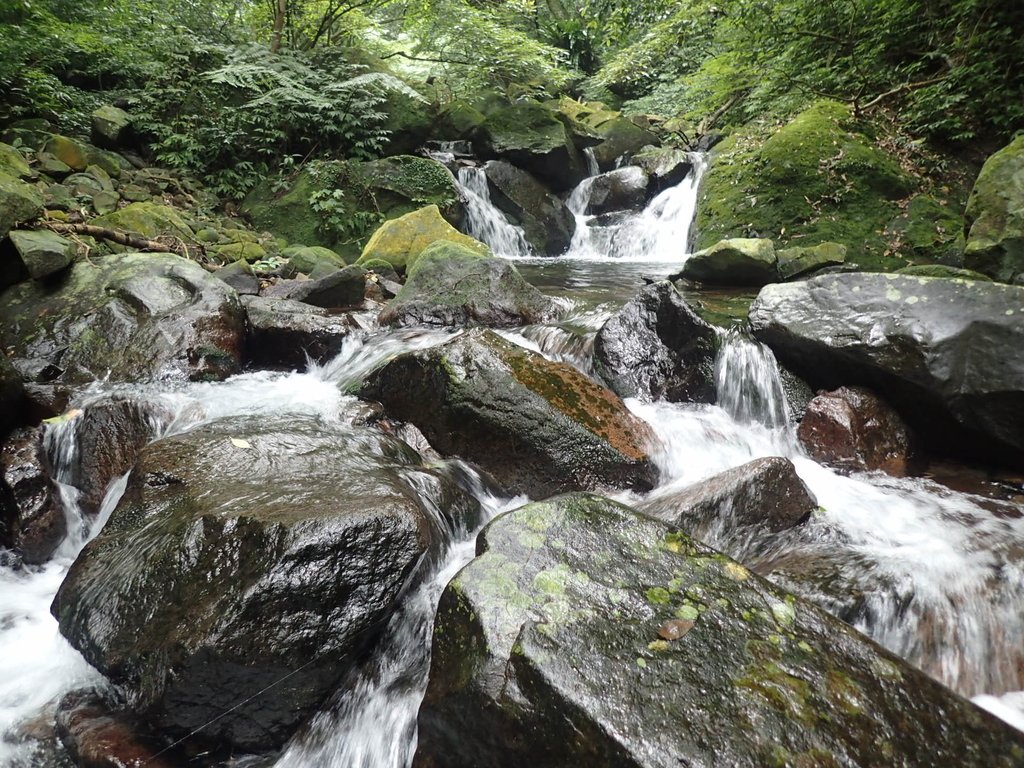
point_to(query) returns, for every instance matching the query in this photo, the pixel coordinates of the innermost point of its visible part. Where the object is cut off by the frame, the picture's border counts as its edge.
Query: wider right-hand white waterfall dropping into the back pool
(660, 233)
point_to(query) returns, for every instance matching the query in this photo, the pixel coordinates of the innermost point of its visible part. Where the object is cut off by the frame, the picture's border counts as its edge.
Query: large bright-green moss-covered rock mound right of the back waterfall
(815, 180)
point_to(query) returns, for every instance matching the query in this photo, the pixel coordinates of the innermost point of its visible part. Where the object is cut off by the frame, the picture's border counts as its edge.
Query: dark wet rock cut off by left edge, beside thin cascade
(33, 521)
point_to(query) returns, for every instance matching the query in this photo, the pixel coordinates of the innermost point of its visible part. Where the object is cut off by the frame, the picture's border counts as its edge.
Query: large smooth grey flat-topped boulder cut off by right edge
(947, 354)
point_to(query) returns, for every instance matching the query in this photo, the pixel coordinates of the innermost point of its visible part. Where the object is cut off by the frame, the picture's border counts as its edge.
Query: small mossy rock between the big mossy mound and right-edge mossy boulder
(928, 233)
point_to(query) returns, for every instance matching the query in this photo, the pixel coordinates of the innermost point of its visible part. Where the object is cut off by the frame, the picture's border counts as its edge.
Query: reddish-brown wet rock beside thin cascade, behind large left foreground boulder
(109, 437)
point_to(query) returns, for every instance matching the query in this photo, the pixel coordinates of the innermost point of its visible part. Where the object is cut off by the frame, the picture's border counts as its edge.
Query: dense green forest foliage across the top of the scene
(235, 90)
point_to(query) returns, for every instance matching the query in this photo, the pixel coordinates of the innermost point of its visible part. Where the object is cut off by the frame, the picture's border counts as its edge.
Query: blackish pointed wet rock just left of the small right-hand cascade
(657, 348)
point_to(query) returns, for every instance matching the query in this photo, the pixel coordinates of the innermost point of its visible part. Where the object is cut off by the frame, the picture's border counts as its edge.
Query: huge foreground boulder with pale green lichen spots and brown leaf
(588, 634)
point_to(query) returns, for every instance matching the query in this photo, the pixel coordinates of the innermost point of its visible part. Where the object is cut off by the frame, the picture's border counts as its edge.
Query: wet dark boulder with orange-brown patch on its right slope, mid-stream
(538, 426)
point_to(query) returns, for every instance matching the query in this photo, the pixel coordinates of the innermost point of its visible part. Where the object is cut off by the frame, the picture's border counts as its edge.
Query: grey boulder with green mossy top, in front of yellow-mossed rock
(452, 285)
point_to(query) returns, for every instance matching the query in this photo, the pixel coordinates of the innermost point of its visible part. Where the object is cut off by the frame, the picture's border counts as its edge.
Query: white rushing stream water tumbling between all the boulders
(932, 574)
